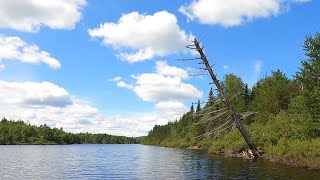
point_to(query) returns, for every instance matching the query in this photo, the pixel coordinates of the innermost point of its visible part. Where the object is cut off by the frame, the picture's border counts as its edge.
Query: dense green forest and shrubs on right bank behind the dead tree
(284, 122)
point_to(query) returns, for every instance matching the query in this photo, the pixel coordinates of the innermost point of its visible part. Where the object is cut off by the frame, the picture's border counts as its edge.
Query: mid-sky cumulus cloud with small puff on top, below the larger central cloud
(165, 85)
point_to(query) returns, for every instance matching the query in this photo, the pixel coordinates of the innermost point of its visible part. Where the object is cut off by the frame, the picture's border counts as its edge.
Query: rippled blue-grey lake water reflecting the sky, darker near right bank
(133, 162)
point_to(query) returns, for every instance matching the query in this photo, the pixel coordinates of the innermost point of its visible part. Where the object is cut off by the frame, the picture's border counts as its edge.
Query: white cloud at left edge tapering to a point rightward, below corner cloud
(14, 48)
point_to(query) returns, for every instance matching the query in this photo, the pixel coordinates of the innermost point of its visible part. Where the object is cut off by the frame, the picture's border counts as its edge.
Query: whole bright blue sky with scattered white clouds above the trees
(111, 66)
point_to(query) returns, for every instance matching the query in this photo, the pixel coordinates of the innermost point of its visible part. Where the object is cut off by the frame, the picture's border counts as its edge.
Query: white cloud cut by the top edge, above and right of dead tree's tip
(233, 12)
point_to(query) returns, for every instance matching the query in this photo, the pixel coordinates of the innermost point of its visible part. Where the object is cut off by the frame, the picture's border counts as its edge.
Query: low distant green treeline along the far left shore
(19, 132)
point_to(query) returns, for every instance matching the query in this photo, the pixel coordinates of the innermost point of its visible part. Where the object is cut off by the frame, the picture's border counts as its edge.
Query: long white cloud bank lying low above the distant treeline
(47, 103)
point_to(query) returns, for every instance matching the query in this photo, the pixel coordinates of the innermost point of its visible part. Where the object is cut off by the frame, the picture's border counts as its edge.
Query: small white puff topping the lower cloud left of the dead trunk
(164, 69)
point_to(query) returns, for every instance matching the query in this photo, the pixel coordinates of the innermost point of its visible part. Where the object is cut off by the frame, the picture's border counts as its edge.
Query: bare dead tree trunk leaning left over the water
(234, 115)
